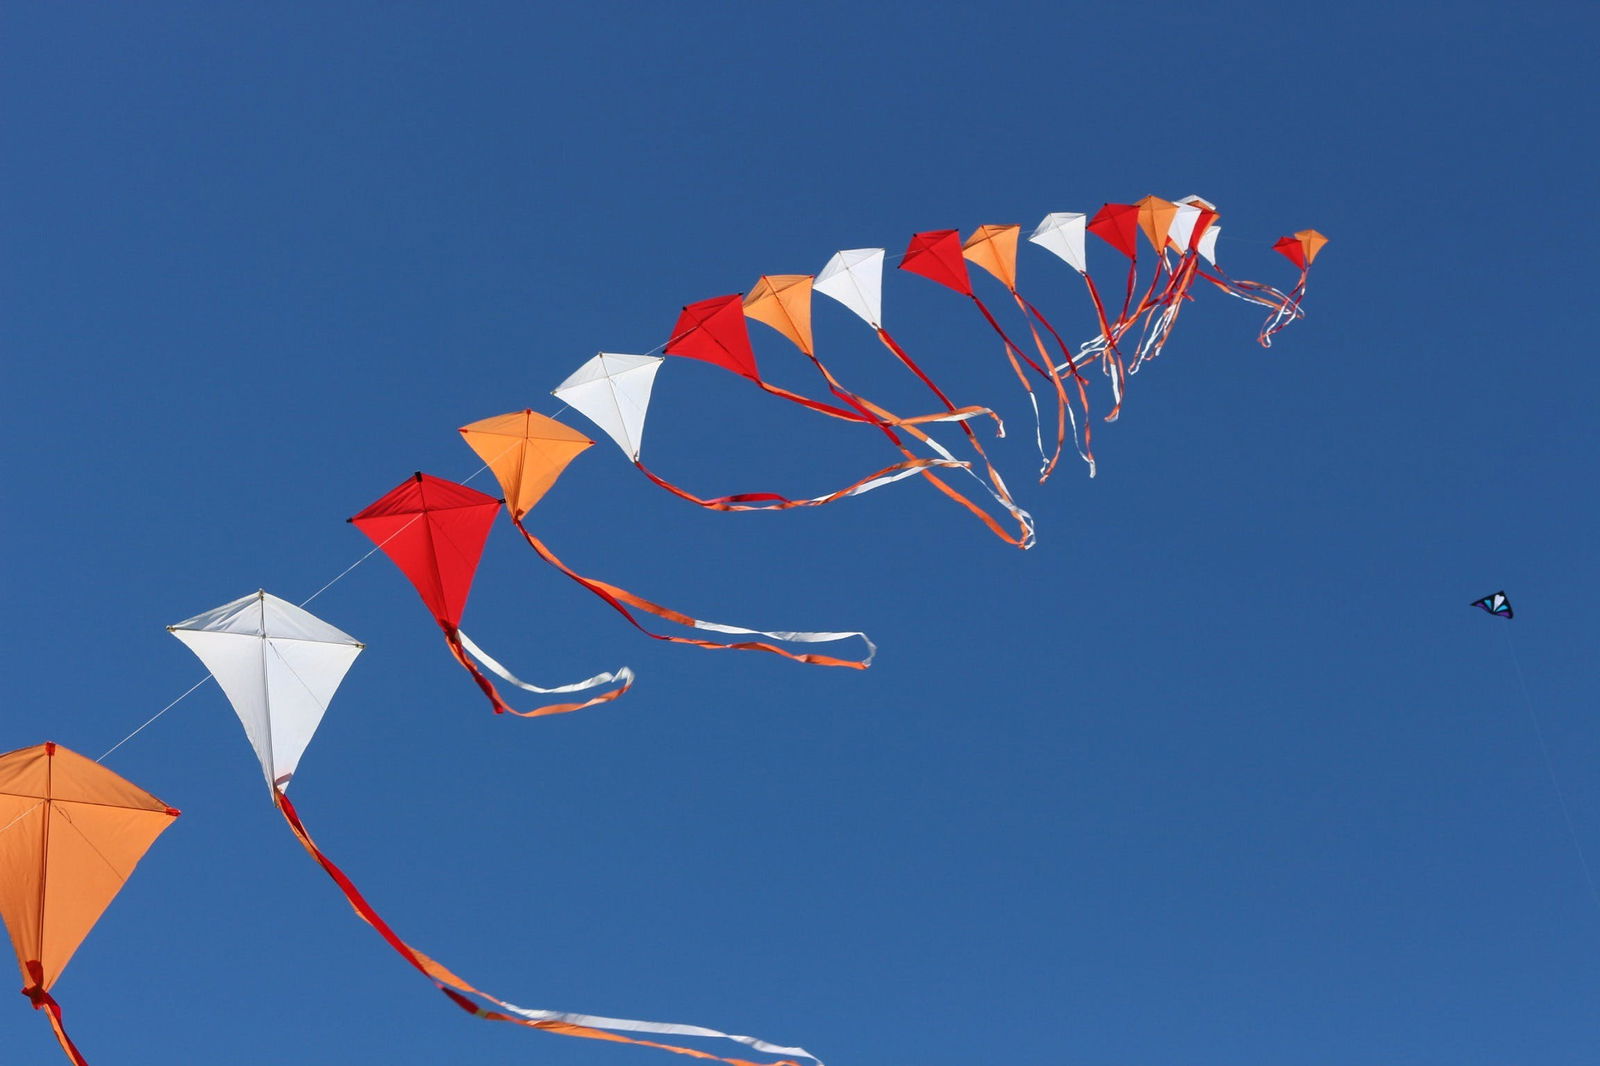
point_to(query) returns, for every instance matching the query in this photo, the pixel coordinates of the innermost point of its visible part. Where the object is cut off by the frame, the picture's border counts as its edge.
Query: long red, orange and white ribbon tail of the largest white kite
(458, 990)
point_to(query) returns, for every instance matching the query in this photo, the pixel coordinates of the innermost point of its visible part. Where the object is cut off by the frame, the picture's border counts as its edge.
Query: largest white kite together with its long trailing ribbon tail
(279, 667)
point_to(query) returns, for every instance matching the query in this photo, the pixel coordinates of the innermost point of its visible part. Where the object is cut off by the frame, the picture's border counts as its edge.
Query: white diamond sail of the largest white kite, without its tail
(279, 667)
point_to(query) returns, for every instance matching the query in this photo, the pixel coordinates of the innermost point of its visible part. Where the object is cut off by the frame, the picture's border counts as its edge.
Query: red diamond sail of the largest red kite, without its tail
(434, 531)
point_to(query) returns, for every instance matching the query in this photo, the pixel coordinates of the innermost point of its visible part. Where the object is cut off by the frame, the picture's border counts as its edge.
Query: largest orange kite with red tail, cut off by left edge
(71, 833)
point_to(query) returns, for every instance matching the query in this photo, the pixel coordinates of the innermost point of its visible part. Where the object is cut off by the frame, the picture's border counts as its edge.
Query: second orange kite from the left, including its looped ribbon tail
(527, 452)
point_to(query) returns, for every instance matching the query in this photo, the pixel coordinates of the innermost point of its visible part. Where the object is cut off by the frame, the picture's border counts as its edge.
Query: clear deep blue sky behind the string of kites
(1223, 772)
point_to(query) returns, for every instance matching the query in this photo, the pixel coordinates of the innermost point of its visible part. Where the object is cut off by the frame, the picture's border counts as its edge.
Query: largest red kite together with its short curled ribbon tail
(434, 531)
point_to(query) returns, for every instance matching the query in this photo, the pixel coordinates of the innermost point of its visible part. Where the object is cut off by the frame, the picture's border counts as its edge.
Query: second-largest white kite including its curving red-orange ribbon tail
(614, 391)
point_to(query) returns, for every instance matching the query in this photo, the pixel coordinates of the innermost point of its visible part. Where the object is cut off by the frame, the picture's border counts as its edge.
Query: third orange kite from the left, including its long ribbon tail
(785, 303)
